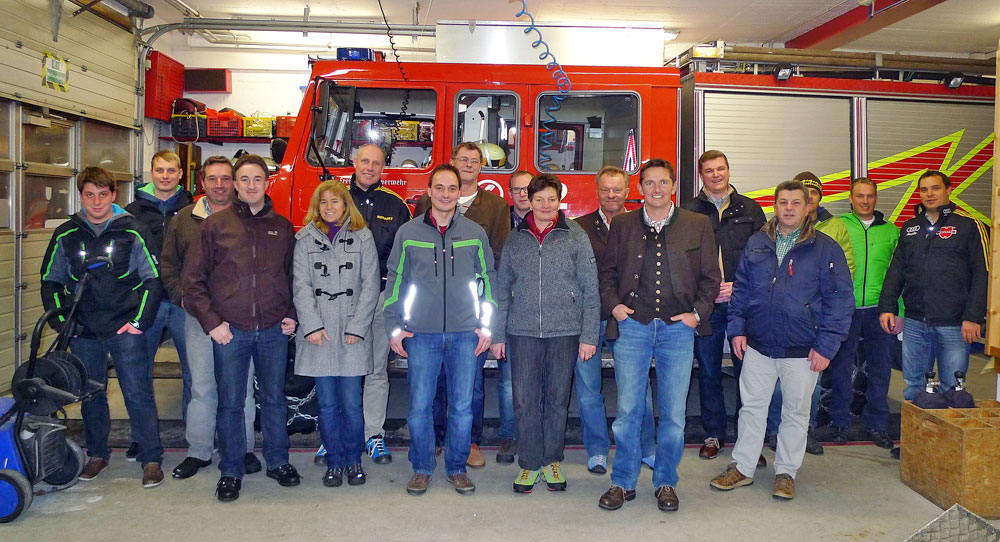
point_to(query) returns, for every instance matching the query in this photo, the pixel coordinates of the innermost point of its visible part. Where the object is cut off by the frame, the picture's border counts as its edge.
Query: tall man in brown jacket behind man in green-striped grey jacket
(492, 213)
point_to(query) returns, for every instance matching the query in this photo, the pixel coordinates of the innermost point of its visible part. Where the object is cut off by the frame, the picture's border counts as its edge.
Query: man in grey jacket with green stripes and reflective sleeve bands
(438, 313)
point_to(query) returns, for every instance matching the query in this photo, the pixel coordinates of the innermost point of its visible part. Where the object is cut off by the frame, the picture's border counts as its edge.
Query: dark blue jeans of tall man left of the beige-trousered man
(708, 351)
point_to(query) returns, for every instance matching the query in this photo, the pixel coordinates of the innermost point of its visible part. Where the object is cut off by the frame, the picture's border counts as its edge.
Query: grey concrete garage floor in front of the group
(868, 504)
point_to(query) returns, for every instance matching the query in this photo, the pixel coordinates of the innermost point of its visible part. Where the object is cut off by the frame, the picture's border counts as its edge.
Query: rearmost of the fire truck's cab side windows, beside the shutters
(587, 131)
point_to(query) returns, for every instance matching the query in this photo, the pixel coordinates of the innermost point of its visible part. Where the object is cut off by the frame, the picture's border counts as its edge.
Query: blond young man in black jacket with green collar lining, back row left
(156, 202)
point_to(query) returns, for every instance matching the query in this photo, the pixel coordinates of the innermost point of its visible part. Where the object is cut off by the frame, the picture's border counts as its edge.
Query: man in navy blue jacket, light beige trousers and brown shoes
(790, 310)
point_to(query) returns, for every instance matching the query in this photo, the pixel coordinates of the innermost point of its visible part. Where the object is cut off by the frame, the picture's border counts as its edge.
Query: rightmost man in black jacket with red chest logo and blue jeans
(940, 266)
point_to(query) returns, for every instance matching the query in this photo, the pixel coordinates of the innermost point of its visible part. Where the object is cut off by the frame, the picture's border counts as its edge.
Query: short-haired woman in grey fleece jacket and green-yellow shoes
(549, 313)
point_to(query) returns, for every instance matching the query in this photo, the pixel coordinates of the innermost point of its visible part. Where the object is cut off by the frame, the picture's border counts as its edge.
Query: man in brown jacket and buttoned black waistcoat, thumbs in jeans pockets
(659, 279)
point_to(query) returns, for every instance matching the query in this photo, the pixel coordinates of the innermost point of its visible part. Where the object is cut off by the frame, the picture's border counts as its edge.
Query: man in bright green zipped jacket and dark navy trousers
(874, 241)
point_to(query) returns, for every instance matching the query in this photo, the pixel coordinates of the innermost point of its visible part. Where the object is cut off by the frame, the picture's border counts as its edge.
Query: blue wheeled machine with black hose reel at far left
(36, 457)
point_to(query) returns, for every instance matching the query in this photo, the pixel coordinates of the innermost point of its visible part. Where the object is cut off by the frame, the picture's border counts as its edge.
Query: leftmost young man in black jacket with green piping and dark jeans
(116, 308)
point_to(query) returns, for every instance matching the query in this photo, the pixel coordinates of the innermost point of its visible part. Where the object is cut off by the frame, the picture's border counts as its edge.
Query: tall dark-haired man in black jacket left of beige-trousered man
(734, 218)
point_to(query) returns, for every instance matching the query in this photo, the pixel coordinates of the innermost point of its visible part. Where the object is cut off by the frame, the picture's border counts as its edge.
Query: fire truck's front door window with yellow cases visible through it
(401, 121)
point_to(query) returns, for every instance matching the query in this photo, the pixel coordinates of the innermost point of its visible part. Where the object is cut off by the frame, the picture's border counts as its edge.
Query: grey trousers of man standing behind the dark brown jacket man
(201, 410)
